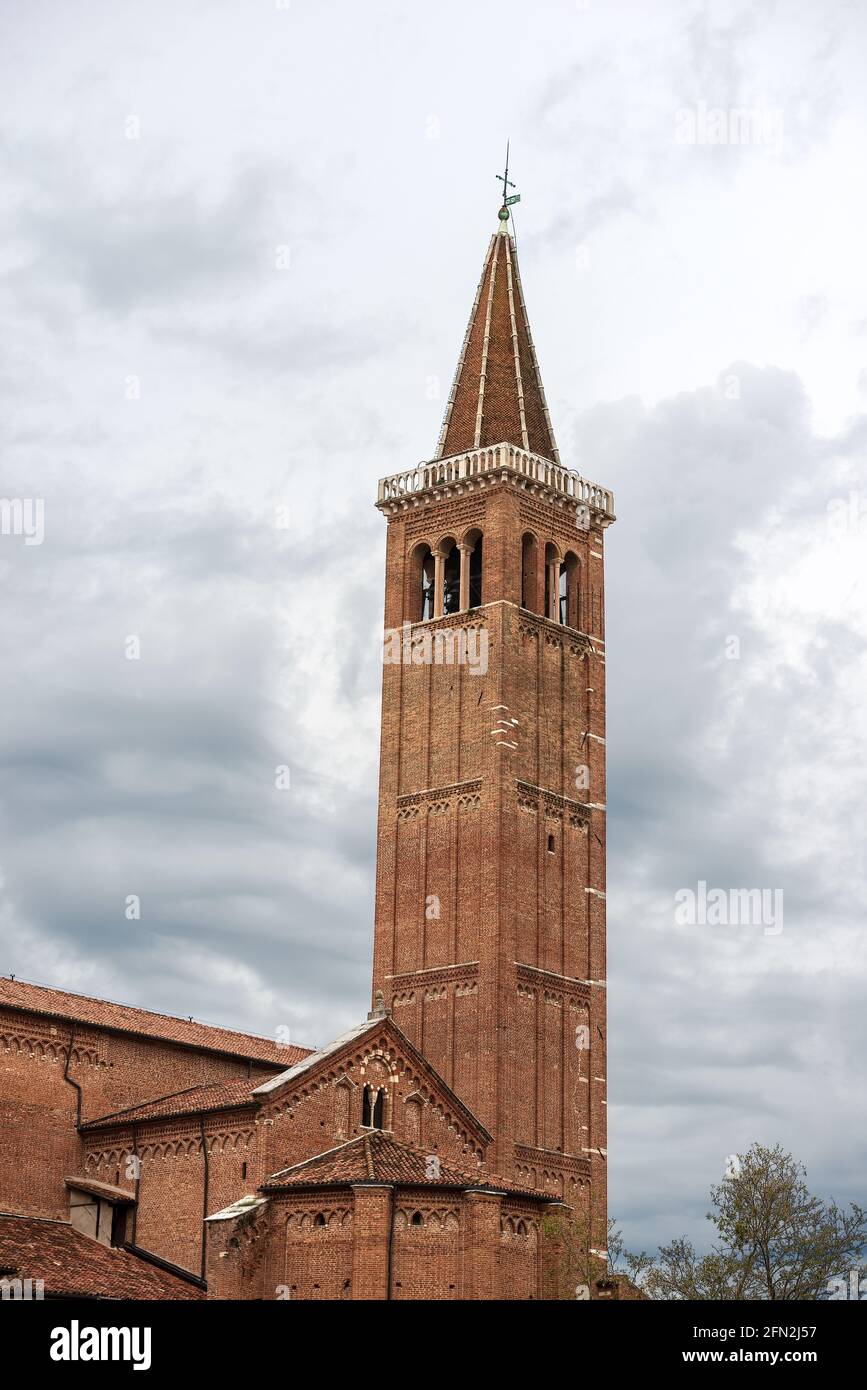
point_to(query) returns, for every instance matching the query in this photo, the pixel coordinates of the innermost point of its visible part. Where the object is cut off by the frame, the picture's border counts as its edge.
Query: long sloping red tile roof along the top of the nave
(124, 1018)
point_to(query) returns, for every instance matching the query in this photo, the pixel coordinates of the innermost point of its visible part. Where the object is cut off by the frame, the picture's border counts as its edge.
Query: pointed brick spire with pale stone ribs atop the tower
(497, 395)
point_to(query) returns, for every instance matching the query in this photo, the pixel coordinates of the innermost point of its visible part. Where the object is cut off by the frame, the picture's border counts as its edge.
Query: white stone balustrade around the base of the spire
(495, 459)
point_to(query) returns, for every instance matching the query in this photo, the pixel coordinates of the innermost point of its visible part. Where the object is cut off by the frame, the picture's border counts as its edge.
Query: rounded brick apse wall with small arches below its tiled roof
(423, 1245)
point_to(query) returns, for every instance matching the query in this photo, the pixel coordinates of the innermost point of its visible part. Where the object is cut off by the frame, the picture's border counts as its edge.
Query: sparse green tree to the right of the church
(773, 1239)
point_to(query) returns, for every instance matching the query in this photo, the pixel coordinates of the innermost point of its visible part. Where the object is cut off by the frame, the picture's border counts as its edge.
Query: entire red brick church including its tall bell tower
(454, 1145)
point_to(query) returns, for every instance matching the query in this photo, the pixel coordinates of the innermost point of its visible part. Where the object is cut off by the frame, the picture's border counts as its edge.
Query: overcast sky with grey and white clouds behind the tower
(240, 248)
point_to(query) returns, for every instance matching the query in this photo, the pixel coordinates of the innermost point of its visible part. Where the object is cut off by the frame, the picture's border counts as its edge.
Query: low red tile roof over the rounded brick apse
(379, 1157)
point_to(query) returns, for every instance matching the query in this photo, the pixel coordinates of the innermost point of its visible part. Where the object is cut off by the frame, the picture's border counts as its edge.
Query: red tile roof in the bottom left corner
(73, 1264)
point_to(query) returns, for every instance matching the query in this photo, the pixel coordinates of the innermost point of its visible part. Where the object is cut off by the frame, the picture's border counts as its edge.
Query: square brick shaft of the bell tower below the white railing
(484, 940)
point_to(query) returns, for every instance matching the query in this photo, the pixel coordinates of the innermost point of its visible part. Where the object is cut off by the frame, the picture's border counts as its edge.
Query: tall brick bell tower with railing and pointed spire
(491, 865)
